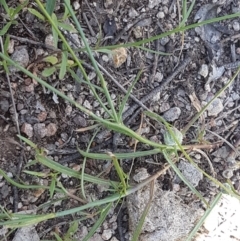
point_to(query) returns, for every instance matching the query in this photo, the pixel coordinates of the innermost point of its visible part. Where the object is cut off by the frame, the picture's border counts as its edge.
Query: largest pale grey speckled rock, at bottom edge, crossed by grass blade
(167, 219)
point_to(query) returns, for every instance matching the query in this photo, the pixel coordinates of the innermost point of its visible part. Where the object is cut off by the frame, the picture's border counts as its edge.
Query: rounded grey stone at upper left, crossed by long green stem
(20, 56)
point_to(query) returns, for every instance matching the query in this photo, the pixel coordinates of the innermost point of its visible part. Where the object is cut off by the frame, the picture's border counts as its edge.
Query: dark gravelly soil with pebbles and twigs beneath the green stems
(176, 86)
